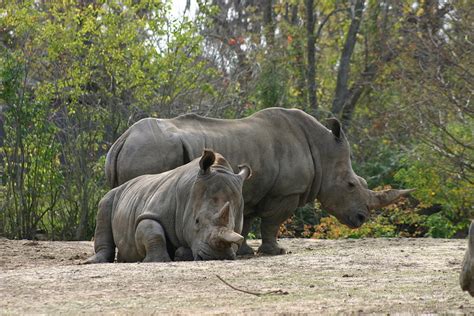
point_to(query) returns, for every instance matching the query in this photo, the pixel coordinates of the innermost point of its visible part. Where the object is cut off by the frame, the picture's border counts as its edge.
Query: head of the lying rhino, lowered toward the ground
(217, 208)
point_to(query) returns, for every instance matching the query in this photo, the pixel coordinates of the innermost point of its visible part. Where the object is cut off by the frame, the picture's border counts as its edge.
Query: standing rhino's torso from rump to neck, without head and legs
(274, 142)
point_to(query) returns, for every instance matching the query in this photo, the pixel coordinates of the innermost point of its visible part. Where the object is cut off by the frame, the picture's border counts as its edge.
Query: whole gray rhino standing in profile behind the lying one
(294, 160)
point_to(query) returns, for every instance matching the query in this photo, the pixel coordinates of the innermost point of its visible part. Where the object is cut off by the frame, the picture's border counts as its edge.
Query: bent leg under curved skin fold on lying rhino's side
(150, 240)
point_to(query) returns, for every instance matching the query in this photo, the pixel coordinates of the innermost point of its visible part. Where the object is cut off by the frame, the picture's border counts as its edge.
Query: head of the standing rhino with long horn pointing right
(343, 193)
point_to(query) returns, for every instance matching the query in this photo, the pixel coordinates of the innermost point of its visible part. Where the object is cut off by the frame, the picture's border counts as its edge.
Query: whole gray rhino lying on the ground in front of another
(196, 208)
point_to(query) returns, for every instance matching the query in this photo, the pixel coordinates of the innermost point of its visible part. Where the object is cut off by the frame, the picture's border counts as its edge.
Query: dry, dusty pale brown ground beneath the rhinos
(409, 276)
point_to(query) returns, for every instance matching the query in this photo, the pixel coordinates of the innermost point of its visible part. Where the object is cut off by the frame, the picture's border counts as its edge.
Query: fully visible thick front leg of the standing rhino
(275, 212)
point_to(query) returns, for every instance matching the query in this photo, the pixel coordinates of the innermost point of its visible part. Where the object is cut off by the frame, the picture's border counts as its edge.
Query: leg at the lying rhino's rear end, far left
(104, 245)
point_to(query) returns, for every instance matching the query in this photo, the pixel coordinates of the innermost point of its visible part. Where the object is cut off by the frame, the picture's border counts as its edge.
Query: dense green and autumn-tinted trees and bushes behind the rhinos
(399, 74)
